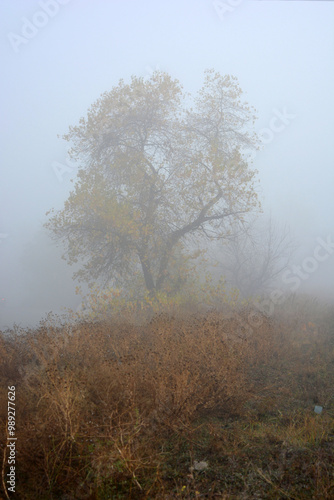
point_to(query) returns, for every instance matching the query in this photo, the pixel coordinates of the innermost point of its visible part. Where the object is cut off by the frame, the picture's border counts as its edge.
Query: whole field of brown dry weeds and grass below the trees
(216, 404)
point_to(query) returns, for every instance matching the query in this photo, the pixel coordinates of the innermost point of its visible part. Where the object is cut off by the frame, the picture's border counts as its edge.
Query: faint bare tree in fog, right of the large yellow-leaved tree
(255, 256)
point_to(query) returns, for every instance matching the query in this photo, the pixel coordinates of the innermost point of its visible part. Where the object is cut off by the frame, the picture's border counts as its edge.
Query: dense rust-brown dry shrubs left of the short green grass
(100, 397)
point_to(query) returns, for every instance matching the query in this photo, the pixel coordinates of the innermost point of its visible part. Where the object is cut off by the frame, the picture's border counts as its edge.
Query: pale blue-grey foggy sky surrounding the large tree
(58, 56)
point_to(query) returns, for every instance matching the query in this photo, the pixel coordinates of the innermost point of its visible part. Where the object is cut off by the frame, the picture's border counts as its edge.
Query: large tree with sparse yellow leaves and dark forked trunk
(159, 171)
